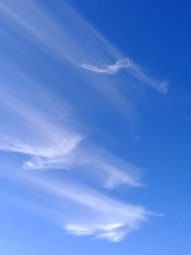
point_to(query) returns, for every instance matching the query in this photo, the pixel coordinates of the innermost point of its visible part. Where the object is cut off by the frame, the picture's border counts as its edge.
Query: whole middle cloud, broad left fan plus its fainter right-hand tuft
(51, 143)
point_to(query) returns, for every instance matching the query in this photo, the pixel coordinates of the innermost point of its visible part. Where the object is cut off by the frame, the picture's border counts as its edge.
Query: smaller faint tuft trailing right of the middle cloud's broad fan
(112, 170)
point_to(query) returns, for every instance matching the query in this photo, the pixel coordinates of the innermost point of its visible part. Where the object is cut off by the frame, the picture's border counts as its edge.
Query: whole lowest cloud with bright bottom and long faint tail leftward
(81, 211)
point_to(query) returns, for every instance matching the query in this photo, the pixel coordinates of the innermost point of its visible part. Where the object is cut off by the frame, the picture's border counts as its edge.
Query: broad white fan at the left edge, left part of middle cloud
(41, 134)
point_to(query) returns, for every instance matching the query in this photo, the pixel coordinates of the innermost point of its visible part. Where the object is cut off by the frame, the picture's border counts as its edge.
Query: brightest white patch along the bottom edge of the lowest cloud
(110, 226)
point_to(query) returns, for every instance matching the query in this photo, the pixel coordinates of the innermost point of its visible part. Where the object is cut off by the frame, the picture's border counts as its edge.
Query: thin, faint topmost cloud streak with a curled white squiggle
(85, 47)
